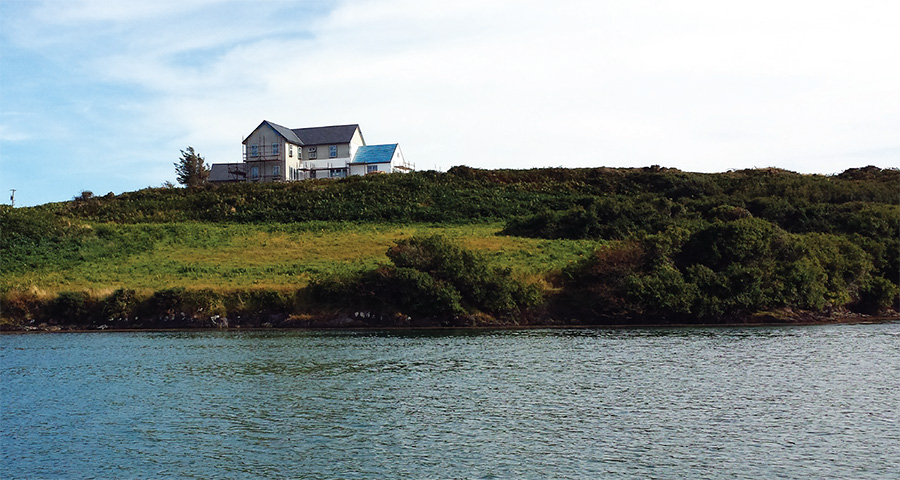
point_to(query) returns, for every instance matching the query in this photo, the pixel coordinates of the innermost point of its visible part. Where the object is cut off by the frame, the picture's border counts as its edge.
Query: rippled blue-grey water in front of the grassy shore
(801, 402)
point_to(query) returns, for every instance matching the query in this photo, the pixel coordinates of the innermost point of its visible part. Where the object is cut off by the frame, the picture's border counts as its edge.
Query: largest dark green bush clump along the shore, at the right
(723, 269)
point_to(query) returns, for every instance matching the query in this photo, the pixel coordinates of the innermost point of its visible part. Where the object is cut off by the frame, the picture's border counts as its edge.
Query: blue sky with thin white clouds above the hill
(101, 95)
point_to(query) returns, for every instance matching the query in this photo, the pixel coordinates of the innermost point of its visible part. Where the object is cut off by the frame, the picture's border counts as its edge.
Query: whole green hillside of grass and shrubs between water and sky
(467, 247)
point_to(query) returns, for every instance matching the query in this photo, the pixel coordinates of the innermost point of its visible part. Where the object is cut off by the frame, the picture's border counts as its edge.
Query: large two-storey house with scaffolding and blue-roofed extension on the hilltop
(273, 153)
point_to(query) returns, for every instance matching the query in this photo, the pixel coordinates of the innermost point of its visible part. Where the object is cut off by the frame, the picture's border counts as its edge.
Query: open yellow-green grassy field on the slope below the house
(222, 257)
